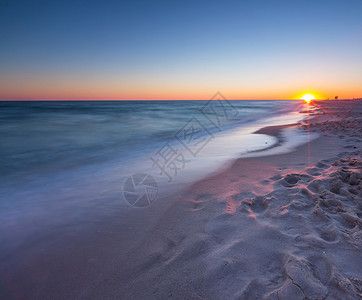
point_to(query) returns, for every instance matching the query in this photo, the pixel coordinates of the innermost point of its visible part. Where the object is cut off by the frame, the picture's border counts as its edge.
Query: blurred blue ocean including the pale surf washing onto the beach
(59, 160)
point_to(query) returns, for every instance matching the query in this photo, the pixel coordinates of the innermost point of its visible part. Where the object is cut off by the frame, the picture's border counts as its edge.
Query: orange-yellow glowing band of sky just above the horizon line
(38, 88)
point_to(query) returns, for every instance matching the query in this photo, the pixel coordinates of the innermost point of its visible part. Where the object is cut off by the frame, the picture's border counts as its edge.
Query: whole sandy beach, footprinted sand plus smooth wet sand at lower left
(284, 225)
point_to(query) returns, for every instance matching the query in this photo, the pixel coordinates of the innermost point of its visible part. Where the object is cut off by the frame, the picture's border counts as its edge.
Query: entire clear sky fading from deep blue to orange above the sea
(84, 49)
